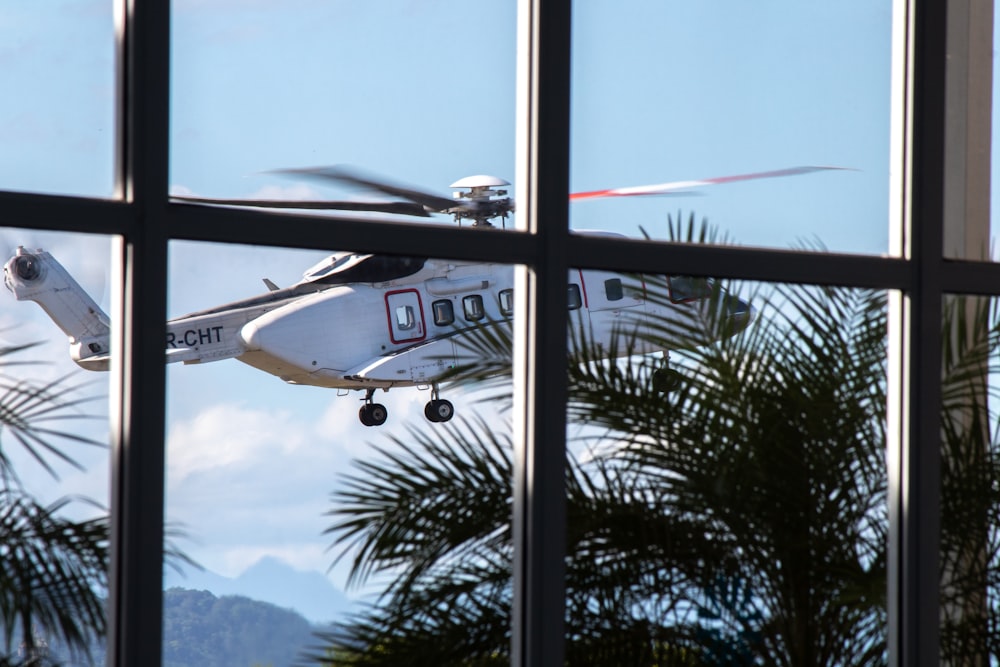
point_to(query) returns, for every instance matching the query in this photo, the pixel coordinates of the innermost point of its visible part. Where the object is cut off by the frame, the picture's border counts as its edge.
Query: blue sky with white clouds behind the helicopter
(422, 92)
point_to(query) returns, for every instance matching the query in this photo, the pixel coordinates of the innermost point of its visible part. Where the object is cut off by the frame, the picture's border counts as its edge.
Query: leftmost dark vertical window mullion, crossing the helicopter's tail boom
(138, 378)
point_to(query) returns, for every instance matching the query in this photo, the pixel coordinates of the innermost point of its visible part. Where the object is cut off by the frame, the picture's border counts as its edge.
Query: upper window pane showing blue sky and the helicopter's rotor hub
(396, 94)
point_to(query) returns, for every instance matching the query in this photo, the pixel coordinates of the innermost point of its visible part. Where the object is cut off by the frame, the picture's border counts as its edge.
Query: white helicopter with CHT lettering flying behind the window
(367, 322)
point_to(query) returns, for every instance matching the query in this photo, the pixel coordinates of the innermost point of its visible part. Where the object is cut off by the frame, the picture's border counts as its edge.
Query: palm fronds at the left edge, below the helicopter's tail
(53, 570)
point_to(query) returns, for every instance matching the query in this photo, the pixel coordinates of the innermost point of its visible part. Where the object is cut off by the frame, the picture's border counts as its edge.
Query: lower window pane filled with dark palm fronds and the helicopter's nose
(727, 478)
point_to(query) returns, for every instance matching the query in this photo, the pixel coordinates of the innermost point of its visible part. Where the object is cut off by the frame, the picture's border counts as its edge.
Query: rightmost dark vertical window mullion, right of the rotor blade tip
(917, 606)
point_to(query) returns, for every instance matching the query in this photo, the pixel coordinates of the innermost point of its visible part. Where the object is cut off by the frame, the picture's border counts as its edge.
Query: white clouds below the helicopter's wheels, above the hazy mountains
(247, 479)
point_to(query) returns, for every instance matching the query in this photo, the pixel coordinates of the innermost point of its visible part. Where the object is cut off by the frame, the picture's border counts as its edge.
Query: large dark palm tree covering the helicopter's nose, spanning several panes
(739, 519)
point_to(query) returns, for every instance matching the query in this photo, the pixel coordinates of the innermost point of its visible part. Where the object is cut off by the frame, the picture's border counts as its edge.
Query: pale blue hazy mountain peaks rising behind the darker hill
(272, 580)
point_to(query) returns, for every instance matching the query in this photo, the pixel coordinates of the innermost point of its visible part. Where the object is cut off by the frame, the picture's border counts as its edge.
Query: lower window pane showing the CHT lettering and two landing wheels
(293, 488)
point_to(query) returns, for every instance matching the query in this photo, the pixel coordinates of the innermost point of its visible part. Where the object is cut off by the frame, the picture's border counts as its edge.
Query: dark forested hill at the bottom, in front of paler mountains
(202, 630)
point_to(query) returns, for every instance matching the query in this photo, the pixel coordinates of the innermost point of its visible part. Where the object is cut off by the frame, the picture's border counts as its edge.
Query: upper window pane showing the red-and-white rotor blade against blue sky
(749, 97)
